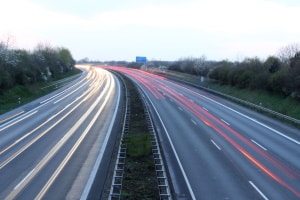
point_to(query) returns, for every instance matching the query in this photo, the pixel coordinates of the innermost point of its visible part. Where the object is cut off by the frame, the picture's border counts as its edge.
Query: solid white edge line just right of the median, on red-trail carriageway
(173, 148)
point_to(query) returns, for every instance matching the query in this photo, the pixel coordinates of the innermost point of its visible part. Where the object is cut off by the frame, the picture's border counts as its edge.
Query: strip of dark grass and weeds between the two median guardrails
(139, 181)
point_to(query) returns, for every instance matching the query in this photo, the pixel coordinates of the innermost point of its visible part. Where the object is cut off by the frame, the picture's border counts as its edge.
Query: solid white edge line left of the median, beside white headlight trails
(91, 179)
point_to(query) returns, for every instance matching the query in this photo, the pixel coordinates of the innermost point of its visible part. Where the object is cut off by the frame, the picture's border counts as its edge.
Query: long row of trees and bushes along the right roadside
(279, 74)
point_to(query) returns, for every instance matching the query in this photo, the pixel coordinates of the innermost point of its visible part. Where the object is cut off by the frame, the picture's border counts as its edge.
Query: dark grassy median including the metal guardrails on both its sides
(142, 172)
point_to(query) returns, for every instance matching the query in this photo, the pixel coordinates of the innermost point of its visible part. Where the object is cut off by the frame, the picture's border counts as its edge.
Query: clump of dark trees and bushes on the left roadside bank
(18, 66)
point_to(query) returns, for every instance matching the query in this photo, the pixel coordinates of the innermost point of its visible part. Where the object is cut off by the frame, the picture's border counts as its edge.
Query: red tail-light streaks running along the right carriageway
(201, 113)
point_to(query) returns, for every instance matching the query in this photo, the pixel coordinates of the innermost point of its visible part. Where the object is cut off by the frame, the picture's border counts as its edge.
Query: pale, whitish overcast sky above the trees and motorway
(107, 30)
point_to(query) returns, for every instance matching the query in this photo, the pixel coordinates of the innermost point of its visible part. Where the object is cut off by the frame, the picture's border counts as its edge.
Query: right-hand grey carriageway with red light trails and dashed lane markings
(216, 149)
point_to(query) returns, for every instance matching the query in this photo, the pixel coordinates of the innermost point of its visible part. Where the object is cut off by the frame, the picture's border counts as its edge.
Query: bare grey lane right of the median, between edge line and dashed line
(207, 179)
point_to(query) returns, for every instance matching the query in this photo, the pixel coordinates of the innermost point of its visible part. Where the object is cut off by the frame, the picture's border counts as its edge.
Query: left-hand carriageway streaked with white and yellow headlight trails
(52, 148)
